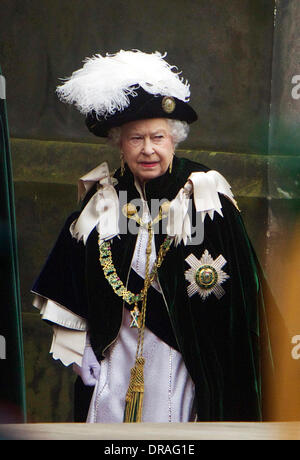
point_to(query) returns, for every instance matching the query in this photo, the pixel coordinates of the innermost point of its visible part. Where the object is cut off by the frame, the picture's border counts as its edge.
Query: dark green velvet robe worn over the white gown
(220, 340)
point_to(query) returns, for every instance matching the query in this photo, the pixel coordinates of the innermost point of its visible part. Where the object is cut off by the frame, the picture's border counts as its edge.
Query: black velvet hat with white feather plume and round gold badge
(128, 86)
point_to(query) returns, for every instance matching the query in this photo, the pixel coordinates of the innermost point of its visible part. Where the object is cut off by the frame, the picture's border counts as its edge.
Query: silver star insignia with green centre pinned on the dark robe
(205, 275)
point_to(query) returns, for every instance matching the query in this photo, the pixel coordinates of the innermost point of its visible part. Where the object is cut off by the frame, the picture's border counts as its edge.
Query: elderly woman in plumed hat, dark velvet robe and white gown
(152, 288)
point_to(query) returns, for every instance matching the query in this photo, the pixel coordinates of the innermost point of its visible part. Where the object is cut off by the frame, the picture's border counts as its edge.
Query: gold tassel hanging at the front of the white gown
(135, 393)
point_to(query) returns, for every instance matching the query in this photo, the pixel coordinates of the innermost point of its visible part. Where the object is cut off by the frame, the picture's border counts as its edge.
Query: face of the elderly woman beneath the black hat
(147, 147)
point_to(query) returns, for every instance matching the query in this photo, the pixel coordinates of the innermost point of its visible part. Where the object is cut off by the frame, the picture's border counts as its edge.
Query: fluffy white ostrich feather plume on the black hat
(103, 84)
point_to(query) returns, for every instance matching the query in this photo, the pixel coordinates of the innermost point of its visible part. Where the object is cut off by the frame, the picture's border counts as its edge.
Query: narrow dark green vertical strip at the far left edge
(12, 375)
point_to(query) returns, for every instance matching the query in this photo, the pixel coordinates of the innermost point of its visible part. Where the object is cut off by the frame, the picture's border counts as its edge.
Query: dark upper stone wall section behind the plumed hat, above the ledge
(223, 47)
